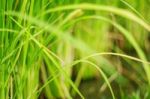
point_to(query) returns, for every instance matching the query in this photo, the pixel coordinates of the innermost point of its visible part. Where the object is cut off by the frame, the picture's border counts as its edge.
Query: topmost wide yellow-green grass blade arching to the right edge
(118, 11)
